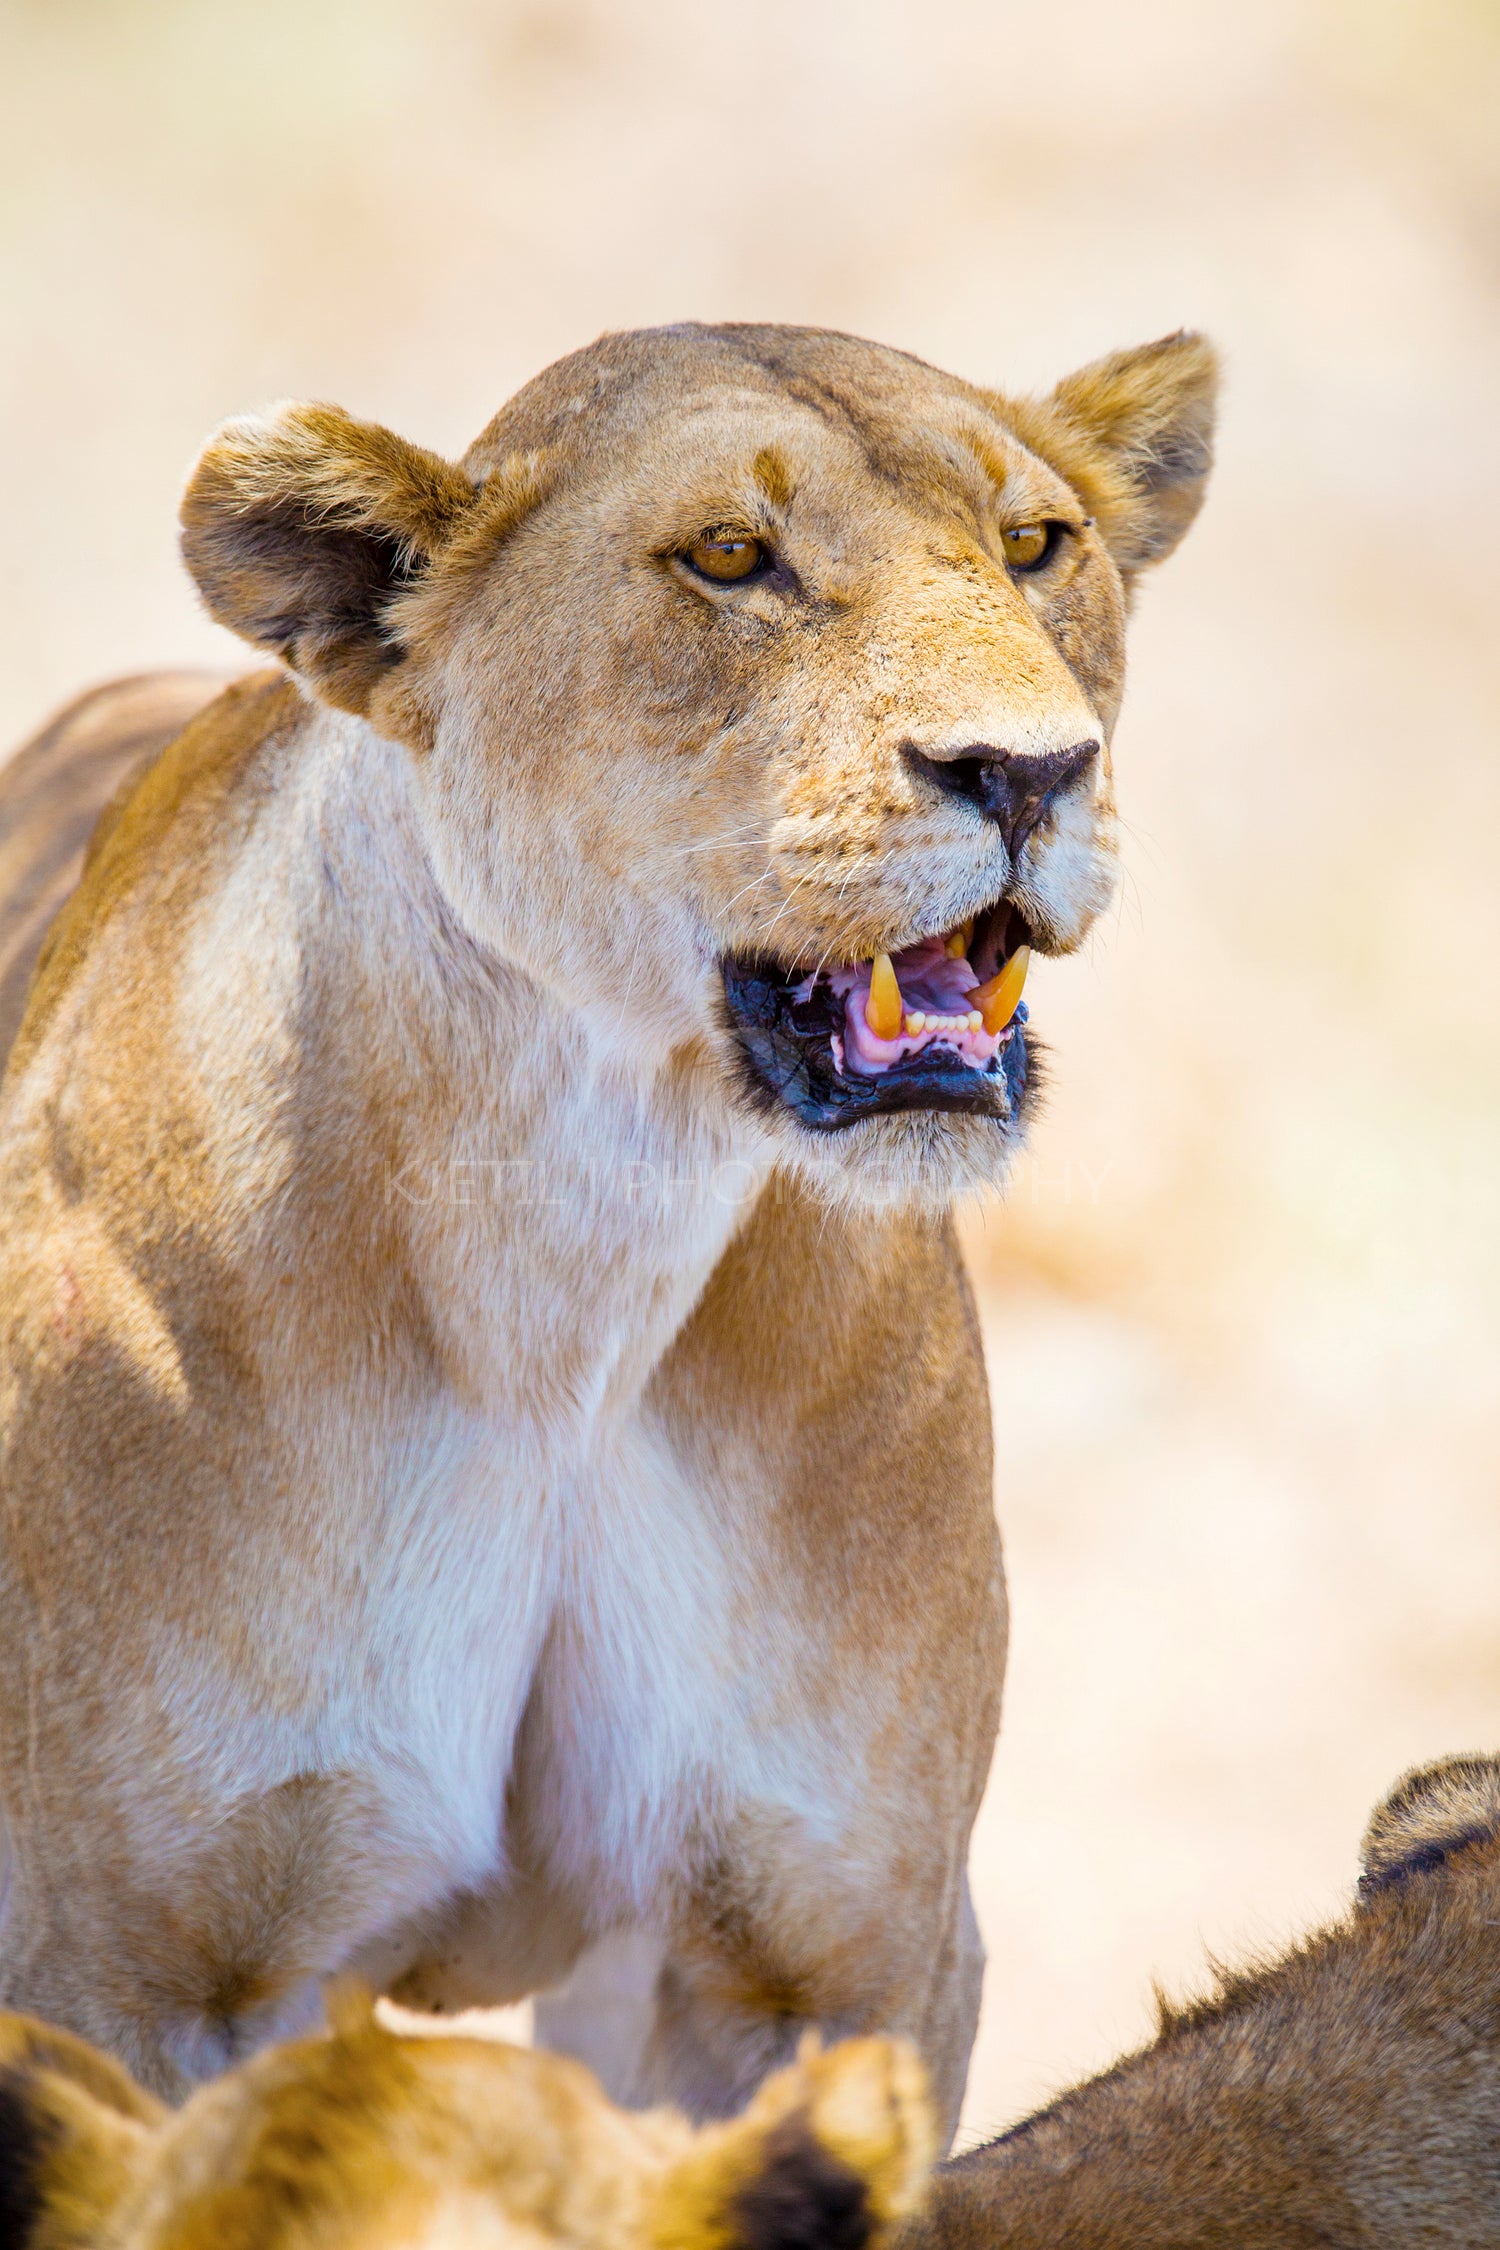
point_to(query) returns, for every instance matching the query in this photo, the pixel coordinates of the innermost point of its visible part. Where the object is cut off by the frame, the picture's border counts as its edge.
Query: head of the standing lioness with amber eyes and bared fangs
(761, 690)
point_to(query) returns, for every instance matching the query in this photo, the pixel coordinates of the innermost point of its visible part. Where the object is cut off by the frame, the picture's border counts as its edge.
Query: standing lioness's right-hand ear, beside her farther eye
(1135, 435)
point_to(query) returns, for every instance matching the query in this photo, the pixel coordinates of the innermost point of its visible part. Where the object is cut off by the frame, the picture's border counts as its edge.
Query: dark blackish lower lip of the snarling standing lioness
(788, 1059)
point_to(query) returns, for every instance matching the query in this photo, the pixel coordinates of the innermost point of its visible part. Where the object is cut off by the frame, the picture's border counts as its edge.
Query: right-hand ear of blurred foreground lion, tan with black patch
(829, 2157)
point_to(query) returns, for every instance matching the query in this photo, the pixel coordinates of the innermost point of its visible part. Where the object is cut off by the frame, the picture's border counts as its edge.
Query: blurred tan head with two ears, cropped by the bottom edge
(458, 2143)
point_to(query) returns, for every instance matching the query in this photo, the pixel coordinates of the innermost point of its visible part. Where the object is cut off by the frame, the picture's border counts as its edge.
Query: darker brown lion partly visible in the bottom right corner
(1348, 2094)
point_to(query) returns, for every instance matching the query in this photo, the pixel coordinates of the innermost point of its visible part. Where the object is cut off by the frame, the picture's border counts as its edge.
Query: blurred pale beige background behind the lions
(1245, 1299)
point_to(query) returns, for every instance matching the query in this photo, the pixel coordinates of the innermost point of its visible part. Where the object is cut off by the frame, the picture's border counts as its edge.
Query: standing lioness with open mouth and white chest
(494, 1428)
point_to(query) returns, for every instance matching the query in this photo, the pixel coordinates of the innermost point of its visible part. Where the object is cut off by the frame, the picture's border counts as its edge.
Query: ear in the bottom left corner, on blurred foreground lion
(75, 2136)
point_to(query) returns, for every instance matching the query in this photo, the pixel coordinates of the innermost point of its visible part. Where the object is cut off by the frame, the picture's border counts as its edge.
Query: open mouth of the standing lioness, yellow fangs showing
(939, 1025)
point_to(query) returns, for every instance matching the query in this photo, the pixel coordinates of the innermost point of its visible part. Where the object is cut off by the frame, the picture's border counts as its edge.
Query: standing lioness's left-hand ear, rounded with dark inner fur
(305, 525)
